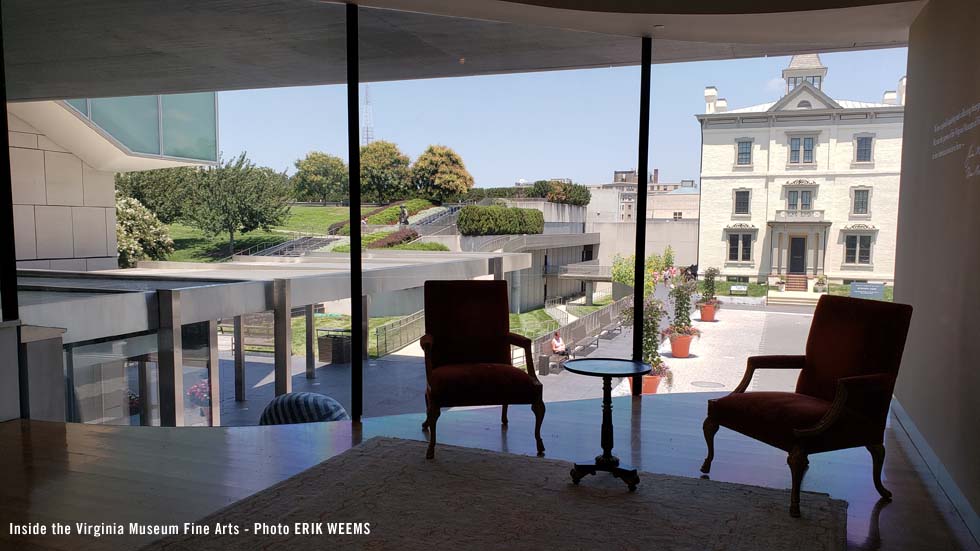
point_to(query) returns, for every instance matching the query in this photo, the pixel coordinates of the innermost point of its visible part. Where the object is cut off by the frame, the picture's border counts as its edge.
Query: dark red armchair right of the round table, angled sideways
(842, 395)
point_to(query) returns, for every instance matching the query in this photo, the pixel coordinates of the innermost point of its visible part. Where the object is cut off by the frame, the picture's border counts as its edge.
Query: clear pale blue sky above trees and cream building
(570, 124)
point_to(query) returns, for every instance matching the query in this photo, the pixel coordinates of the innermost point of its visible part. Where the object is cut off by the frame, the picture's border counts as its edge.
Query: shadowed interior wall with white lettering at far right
(939, 230)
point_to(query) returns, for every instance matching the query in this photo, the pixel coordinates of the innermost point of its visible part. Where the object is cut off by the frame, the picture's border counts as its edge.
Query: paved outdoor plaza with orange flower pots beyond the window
(395, 384)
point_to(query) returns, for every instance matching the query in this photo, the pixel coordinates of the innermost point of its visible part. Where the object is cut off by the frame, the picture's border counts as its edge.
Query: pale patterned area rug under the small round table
(474, 499)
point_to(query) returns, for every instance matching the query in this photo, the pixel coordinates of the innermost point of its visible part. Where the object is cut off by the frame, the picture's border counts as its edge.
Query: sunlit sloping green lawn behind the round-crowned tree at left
(191, 245)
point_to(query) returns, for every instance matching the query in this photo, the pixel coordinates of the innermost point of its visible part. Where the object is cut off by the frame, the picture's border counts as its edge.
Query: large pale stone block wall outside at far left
(64, 210)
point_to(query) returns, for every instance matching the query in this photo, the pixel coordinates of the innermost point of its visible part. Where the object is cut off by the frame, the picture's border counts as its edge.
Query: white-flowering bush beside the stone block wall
(140, 234)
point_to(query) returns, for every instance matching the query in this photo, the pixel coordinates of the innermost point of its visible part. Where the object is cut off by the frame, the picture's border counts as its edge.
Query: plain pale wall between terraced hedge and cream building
(620, 238)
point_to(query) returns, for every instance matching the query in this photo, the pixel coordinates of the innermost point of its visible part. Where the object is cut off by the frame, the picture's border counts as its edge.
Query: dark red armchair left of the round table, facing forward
(467, 354)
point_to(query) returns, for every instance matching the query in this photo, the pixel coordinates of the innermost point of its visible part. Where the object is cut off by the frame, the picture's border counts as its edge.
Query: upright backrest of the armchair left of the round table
(468, 320)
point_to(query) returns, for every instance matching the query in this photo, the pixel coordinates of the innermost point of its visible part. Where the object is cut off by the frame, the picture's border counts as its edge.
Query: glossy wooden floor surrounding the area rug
(52, 472)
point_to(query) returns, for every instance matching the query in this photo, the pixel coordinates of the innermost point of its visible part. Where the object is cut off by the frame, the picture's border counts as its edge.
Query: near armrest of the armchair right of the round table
(866, 395)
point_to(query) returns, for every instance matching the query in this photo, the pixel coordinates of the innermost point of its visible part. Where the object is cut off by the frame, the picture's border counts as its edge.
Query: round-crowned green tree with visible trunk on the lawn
(236, 197)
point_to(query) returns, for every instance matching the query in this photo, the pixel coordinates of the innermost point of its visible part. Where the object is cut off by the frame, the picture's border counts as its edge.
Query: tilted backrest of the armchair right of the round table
(851, 337)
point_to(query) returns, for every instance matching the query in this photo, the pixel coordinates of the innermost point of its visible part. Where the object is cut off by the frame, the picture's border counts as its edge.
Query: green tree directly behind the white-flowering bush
(162, 191)
